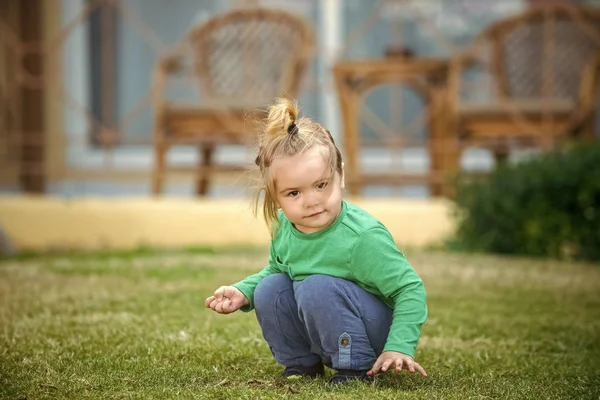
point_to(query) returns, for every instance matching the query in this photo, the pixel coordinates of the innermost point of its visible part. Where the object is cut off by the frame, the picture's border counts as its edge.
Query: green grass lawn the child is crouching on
(134, 326)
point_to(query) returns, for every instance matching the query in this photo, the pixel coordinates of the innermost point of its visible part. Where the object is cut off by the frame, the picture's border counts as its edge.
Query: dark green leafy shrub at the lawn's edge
(546, 206)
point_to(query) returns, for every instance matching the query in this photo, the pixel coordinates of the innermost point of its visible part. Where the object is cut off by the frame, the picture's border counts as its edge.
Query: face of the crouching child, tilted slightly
(308, 197)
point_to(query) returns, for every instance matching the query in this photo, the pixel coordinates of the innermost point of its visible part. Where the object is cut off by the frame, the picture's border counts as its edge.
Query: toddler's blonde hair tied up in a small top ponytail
(283, 134)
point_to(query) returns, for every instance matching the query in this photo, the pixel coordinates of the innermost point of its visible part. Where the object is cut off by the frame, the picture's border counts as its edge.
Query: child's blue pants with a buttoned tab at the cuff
(321, 319)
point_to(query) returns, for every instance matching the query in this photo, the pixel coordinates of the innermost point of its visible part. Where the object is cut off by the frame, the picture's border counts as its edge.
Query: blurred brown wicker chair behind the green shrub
(542, 69)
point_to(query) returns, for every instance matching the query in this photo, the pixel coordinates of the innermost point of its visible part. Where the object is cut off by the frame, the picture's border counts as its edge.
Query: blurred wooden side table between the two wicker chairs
(427, 76)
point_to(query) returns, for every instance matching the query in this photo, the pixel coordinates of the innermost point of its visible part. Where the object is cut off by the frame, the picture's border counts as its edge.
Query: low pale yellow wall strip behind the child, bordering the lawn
(38, 223)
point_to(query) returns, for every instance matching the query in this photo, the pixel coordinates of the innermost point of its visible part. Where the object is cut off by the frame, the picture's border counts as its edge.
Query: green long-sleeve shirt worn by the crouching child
(359, 248)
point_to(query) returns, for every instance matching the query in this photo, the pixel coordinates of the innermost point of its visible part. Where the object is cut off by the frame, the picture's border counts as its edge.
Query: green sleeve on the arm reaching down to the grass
(377, 262)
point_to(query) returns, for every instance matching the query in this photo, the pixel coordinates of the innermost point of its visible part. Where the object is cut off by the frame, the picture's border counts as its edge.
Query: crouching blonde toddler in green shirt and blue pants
(337, 292)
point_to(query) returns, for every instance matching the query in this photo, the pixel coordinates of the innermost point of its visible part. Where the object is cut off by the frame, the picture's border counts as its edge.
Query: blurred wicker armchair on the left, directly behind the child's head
(241, 61)
